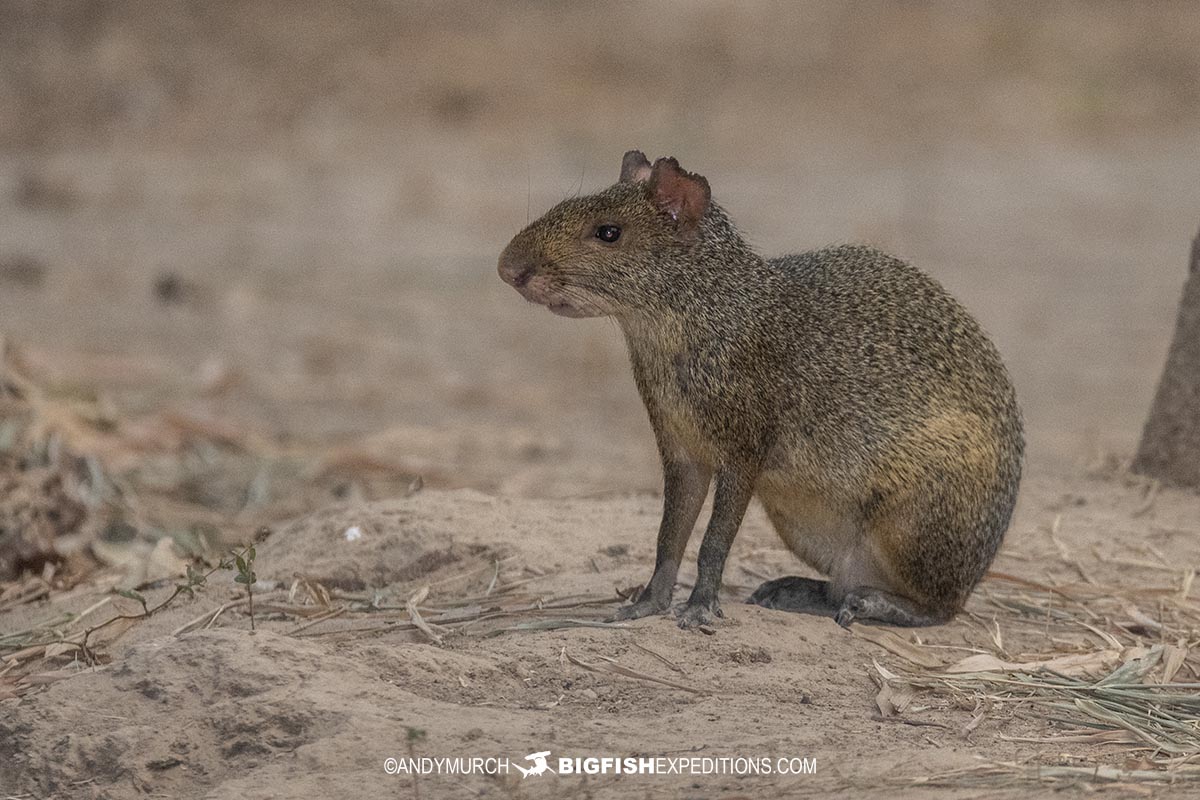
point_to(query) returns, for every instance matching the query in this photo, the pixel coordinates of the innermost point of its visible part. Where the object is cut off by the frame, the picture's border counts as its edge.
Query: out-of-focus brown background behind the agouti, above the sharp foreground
(281, 220)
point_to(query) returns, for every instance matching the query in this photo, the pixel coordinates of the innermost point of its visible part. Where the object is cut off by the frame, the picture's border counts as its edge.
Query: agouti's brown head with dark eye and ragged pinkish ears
(617, 251)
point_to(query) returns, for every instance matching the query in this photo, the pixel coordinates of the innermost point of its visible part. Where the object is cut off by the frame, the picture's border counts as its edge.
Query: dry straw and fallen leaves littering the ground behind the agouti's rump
(1111, 675)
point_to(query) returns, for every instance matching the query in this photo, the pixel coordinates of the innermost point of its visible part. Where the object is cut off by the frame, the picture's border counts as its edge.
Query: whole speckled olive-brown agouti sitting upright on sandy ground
(844, 388)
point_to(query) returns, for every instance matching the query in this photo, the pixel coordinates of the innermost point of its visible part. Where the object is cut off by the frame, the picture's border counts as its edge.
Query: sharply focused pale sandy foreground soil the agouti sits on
(308, 708)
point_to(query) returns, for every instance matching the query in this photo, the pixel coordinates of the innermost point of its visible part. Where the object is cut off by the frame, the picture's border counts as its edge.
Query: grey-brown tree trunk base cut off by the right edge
(1171, 442)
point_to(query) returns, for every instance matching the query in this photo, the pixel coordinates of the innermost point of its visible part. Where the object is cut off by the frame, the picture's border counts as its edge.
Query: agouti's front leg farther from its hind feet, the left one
(685, 488)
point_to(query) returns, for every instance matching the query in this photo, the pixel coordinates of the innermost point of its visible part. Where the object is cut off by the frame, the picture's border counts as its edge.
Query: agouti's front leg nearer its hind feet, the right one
(730, 501)
